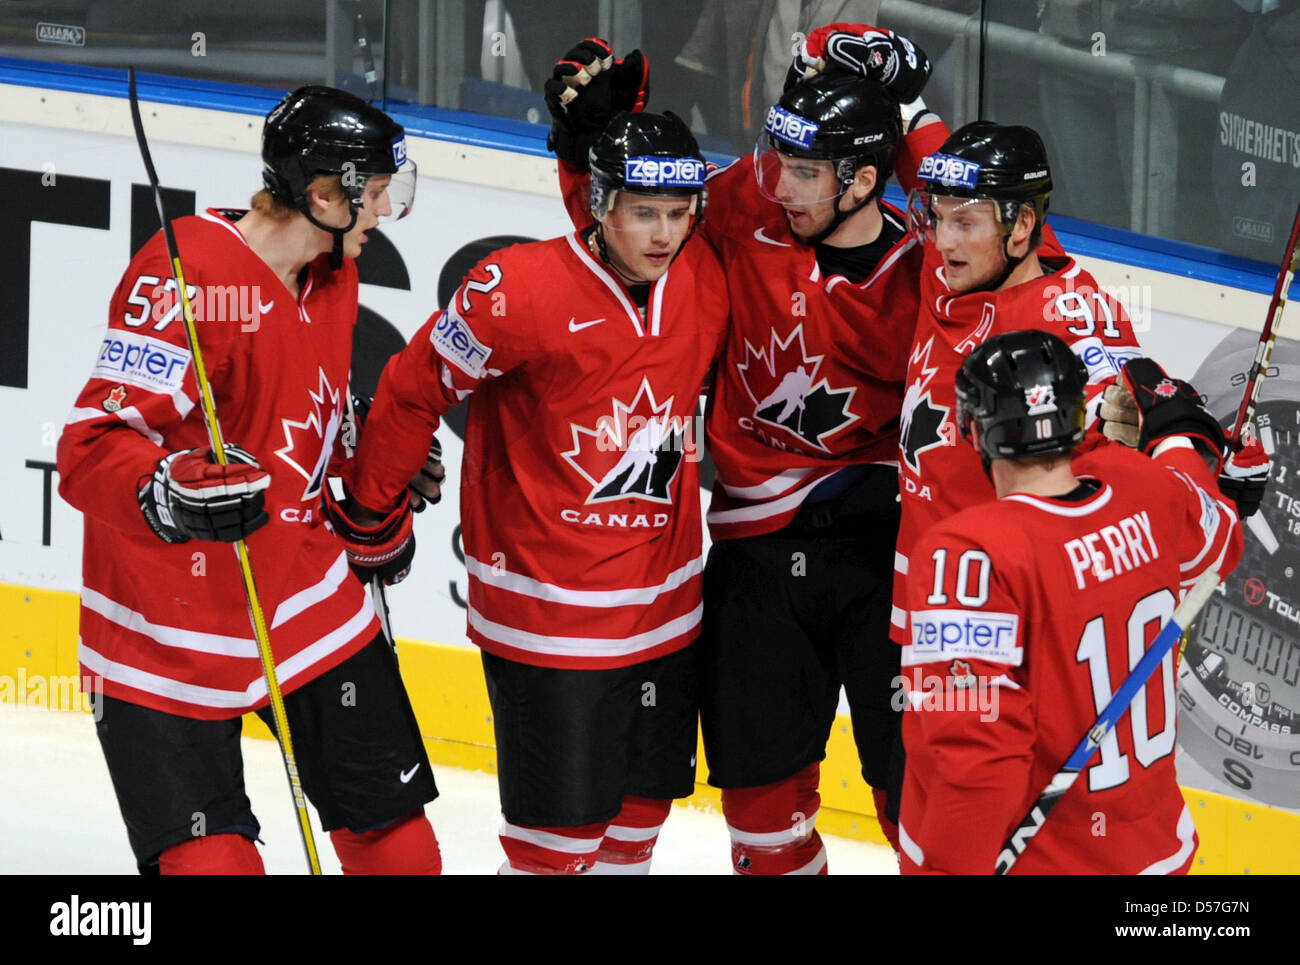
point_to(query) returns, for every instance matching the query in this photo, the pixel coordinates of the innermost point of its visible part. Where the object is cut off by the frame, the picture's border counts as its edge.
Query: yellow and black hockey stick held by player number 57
(210, 418)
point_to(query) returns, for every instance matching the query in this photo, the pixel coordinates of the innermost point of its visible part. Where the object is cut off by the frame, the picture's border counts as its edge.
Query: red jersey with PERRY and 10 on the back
(1045, 605)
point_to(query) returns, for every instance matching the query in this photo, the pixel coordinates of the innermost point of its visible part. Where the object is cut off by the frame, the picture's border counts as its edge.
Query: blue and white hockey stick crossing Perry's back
(1073, 768)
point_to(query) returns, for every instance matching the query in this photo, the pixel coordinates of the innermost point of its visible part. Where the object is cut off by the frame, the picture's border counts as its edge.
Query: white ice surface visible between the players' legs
(59, 815)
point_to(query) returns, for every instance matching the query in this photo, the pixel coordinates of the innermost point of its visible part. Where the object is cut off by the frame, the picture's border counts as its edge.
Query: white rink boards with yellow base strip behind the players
(470, 189)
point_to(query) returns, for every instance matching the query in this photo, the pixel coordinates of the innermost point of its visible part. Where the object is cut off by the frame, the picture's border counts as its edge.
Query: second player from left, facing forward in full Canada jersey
(580, 497)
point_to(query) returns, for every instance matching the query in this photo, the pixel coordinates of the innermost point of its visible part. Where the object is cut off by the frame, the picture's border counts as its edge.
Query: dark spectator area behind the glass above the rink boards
(1143, 103)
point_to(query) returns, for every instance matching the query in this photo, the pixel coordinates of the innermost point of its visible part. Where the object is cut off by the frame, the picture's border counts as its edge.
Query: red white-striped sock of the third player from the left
(773, 828)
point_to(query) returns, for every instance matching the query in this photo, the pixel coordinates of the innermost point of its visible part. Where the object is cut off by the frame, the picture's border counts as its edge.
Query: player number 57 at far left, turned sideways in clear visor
(164, 624)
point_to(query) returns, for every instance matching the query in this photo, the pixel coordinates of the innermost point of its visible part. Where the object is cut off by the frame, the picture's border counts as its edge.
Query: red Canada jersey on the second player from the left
(580, 488)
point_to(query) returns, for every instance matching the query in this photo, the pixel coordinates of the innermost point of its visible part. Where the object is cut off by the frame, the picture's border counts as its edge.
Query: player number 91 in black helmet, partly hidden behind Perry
(981, 213)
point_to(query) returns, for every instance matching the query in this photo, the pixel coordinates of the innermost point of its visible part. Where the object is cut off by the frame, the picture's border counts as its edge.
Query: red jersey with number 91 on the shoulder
(939, 474)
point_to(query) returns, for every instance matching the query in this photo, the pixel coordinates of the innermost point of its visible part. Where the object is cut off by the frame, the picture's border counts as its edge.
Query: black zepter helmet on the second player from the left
(645, 154)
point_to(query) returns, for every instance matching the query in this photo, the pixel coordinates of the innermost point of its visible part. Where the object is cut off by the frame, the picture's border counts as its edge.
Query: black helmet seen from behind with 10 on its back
(1026, 393)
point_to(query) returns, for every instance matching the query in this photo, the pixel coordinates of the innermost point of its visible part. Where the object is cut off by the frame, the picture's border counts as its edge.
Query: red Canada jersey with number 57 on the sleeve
(167, 625)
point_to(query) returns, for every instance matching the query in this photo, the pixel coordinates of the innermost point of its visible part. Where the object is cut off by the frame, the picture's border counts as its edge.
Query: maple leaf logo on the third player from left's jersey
(782, 380)
